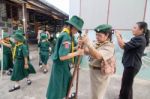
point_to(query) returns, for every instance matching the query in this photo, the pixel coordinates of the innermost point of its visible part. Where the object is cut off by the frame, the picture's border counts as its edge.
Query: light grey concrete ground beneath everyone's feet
(40, 82)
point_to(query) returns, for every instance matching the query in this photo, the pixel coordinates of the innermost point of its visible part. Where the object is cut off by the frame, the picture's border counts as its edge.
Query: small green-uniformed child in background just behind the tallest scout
(44, 45)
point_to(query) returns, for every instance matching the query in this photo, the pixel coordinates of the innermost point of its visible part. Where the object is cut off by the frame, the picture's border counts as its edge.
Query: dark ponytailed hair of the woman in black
(144, 26)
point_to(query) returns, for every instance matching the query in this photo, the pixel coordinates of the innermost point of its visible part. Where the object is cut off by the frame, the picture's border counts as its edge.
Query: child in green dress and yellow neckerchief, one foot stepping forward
(22, 66)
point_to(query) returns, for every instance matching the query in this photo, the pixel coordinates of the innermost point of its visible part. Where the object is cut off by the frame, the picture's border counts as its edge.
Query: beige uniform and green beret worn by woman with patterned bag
(99, 81)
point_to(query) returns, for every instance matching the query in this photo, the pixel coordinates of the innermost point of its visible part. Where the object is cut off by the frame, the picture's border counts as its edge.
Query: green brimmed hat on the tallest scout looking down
(77, 22)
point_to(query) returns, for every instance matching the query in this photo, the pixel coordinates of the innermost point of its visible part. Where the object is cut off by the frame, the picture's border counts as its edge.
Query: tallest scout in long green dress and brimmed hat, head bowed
(61, 75)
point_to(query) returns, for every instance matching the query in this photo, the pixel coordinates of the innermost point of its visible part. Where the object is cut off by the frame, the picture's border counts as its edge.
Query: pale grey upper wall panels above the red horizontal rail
(121, 14)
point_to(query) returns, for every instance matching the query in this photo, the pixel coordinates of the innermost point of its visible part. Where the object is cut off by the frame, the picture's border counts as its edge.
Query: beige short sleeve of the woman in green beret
(107, 52)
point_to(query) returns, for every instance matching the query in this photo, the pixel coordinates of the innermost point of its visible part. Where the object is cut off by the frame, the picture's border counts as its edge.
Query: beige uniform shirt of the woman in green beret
(106, 49)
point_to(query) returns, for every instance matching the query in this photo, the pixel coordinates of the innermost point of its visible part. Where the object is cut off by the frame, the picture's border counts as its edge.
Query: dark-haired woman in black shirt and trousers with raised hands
(133, 51)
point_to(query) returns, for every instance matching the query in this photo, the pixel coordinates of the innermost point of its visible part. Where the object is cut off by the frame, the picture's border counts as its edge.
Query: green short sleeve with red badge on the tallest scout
(65, 46)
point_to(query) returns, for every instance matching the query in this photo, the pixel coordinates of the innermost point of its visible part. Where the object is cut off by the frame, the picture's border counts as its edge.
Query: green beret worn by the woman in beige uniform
(103, 28)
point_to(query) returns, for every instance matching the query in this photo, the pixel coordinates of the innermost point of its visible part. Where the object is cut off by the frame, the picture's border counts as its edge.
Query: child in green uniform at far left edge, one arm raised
(7, 54)
